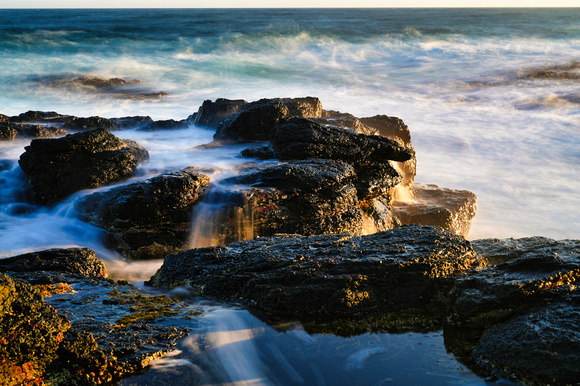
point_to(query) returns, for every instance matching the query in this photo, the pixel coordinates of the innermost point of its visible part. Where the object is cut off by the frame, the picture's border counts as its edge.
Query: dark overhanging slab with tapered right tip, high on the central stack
(300, 138)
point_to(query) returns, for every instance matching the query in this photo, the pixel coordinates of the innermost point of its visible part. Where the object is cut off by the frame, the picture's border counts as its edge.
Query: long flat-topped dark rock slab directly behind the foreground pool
(328, 278)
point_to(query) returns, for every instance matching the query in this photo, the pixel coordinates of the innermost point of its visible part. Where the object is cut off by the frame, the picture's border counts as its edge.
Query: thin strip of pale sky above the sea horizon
(281, 4)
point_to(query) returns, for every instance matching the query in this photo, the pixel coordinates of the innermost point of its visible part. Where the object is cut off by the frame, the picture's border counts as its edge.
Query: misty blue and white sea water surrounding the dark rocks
(491, 97)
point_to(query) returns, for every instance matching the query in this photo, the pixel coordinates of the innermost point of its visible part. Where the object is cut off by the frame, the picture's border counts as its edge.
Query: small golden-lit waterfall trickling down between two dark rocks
(224, 215)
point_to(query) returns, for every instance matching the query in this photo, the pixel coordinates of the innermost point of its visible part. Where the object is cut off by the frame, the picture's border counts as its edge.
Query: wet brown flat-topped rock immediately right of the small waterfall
(306, 197)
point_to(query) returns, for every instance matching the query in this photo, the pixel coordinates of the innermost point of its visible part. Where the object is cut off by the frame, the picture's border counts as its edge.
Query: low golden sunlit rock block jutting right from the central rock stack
(450, 209)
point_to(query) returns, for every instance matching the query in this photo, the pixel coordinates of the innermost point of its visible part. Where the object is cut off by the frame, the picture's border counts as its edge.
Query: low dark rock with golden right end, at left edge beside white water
(82, 261)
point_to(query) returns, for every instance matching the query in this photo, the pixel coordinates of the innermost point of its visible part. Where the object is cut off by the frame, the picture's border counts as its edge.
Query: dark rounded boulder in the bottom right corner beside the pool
(541, 347)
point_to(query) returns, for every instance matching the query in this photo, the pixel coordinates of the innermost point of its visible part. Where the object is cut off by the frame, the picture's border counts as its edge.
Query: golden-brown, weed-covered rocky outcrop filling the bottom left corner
(117, 335)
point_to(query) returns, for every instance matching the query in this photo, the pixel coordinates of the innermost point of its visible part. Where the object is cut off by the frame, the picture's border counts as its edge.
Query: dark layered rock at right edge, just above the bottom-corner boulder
(534, 272)
